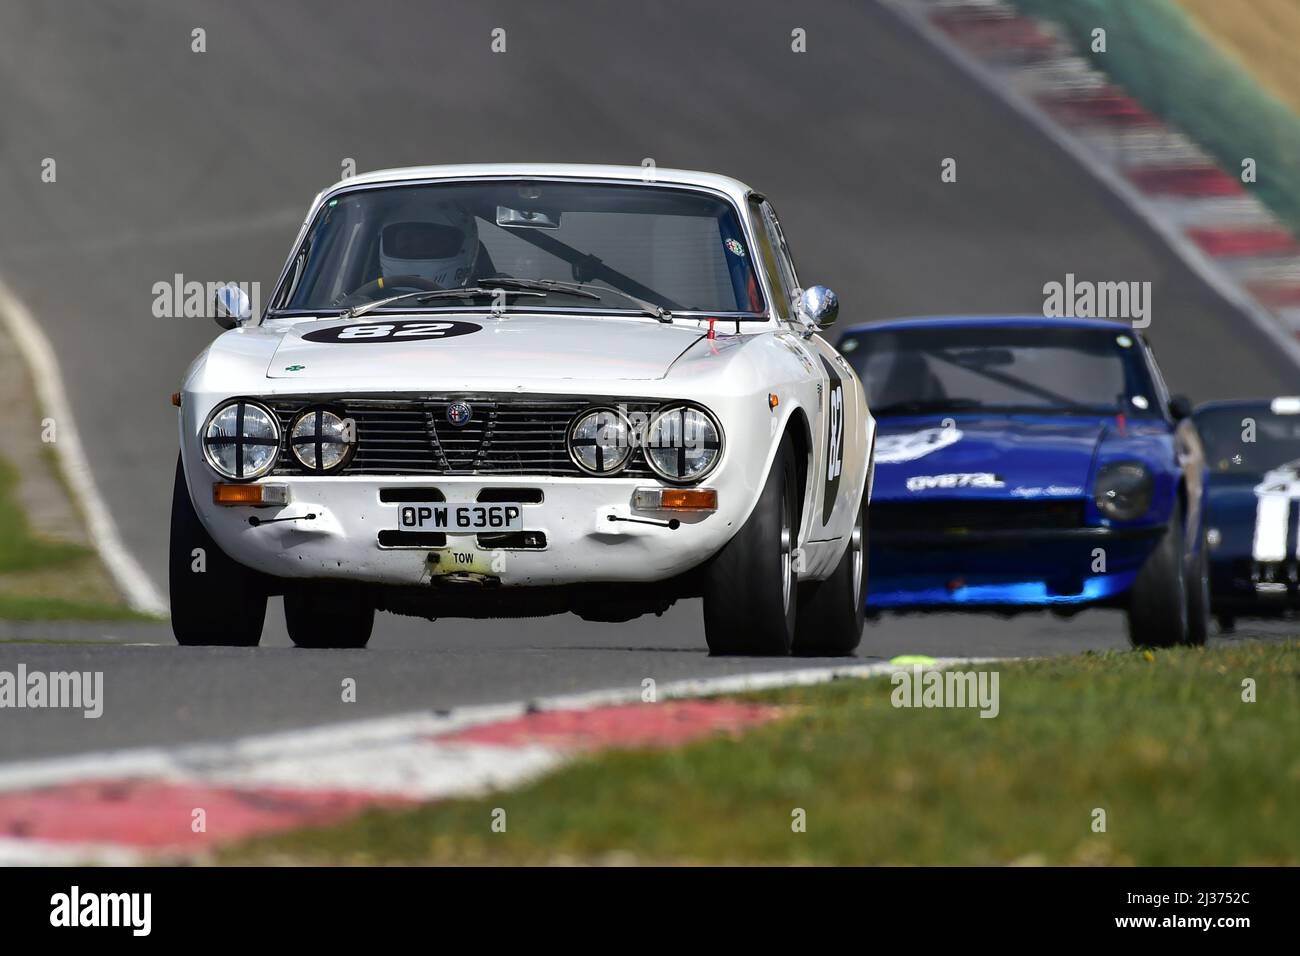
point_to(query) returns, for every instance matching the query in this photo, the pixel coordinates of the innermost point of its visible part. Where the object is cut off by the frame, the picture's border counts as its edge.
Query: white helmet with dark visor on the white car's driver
(441, 246)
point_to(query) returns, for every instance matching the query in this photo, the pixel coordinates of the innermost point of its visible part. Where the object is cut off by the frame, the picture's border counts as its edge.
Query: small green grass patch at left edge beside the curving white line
(44, 579)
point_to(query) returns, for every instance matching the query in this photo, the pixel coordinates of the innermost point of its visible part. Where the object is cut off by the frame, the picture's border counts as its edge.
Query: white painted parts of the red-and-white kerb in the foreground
(408, 756)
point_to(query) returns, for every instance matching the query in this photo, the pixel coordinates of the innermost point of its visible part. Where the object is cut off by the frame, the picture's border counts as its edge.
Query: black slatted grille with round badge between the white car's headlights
(506, 435)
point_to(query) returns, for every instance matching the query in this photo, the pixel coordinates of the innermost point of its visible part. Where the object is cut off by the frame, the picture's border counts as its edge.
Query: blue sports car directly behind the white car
(1028, 464)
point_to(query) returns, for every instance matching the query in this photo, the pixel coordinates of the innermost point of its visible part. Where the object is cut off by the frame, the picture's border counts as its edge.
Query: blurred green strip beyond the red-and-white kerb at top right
(1159, 55)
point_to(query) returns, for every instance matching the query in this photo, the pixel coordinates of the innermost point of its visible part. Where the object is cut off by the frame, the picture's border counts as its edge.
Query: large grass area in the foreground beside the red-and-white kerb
(1163, 742)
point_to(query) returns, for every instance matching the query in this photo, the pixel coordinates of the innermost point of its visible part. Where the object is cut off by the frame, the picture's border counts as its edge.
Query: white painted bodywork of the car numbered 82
(543, 353)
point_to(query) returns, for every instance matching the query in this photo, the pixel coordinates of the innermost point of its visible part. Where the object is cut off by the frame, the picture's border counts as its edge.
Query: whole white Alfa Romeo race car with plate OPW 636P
(512, 391)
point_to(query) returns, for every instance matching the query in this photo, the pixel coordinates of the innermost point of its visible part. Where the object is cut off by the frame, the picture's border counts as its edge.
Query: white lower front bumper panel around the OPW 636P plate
(582, 544)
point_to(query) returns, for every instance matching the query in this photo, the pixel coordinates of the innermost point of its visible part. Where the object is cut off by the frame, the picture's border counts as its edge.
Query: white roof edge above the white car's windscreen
(735, 189)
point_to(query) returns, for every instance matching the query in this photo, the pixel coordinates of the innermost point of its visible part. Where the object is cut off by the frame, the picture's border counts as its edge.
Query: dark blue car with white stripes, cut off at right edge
(1253, 504)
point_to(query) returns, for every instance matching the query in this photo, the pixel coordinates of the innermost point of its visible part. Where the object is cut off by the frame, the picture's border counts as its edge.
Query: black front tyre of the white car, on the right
(751, 587)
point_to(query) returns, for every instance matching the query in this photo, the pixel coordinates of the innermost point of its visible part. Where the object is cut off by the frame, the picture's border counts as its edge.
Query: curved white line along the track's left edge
(131, 578)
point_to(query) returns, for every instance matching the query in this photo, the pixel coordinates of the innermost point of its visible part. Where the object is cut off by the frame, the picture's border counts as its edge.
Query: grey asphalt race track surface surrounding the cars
(202, 165)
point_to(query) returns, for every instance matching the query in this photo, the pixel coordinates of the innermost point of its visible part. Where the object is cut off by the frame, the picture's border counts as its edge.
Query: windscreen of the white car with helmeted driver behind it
(679, 249)
